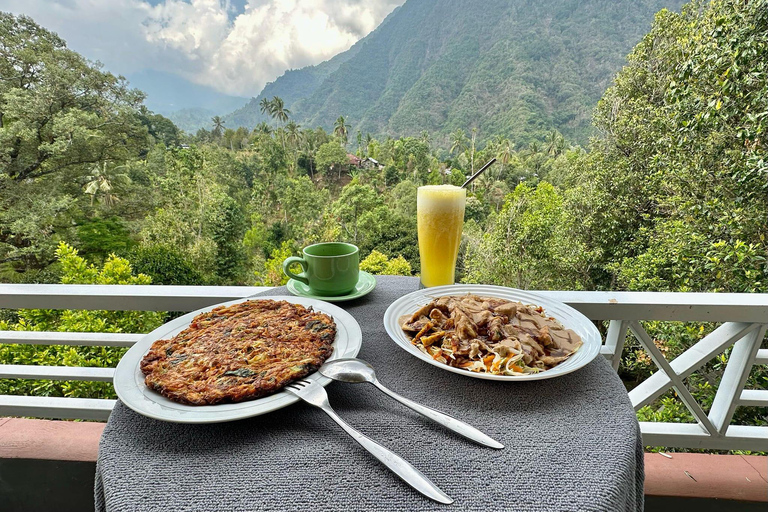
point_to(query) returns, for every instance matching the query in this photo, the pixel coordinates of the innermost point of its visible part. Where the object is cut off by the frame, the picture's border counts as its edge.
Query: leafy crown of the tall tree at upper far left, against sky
(58, 111)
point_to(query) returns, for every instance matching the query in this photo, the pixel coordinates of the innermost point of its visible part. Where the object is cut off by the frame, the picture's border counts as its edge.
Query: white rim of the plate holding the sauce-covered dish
(591, 346)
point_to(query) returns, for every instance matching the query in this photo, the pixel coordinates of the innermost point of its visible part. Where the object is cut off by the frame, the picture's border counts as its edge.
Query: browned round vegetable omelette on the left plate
(239, 352)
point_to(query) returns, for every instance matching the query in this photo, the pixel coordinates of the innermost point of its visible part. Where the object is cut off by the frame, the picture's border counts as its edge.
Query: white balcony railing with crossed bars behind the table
(744, 318)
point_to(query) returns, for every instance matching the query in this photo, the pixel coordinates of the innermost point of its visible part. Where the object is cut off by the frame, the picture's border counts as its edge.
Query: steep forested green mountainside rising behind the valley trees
(514, 68)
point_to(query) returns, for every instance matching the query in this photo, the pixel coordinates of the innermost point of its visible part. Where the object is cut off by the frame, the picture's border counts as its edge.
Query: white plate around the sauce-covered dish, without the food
(566, 315)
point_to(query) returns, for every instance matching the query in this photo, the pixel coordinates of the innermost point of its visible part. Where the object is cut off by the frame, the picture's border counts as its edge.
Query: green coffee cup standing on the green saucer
(329, 268)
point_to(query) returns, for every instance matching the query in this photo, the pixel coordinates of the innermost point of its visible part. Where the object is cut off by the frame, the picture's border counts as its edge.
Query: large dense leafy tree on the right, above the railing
(674, 192)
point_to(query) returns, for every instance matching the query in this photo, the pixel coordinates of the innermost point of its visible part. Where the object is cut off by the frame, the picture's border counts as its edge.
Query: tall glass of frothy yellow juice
(440, 215)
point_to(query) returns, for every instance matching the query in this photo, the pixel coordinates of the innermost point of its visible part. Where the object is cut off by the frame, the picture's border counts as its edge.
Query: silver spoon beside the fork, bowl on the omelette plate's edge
(357, 371)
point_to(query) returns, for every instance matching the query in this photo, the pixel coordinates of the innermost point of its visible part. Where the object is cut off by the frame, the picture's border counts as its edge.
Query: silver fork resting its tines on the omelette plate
(314, 394)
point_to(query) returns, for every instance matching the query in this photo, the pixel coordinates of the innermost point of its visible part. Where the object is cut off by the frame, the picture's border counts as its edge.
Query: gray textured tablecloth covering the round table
(572, 443)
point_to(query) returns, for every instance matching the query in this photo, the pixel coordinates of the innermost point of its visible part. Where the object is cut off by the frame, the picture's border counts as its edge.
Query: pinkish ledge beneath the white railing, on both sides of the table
(730, 478)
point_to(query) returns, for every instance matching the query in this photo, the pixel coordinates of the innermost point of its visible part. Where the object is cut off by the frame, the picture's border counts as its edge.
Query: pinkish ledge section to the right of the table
(699, 475)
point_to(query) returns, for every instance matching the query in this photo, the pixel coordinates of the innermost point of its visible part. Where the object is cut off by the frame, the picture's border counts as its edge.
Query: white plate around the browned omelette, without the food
(129, 381)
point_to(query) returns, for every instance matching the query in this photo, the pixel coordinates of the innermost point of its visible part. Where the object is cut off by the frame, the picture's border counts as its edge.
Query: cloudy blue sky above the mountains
(232, 46)
